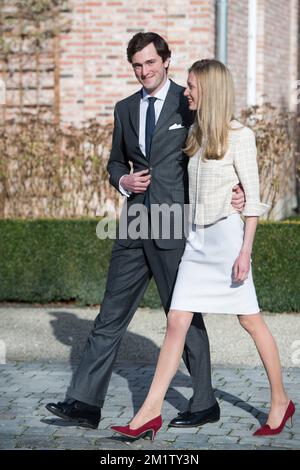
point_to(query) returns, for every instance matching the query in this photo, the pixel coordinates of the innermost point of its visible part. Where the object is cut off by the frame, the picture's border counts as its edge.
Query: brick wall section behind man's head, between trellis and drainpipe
(94, 70)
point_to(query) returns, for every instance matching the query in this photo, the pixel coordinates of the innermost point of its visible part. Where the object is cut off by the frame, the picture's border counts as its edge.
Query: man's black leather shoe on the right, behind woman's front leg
(190, 420)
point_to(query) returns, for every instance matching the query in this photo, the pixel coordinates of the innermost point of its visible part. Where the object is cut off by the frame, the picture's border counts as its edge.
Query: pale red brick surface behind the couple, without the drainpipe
(93, 72)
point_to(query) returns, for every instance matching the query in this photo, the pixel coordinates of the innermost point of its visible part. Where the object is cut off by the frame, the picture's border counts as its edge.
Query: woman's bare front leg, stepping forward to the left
(178, 323)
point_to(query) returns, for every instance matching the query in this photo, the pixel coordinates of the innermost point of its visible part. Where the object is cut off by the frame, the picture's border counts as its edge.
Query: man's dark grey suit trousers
(130, 271)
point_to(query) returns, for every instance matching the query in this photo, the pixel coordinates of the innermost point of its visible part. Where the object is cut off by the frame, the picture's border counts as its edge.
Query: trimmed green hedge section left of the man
(51, 260)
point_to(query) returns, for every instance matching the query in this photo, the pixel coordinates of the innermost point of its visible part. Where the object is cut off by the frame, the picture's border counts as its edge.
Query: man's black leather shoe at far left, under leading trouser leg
(85, 415)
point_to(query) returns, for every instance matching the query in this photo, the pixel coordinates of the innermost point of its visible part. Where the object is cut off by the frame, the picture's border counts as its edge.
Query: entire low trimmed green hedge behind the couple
(61, 260)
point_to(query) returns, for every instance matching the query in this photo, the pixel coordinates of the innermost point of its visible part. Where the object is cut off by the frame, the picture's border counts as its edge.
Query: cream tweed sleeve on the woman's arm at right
(245, 163)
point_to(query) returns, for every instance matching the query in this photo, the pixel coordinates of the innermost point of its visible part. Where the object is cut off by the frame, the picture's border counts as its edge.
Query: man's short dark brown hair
(141, 40)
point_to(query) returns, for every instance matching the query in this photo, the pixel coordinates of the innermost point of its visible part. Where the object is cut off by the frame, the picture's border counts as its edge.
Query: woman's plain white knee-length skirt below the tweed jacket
(204, 281)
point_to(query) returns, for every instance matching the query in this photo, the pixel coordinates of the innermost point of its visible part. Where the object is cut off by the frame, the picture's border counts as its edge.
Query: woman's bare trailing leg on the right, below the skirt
(268, 351)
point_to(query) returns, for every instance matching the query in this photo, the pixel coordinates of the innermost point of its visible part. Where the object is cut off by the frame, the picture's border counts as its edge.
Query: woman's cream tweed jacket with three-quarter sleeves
(211, 181)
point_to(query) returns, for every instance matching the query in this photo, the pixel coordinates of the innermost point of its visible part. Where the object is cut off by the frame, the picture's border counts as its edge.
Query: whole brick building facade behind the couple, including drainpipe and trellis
(80, 73)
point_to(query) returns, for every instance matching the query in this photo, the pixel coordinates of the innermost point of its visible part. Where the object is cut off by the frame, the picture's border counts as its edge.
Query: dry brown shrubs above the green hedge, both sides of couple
(50, 171)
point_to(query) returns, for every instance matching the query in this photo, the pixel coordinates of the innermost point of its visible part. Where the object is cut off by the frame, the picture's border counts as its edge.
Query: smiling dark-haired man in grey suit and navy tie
(150, 130)
